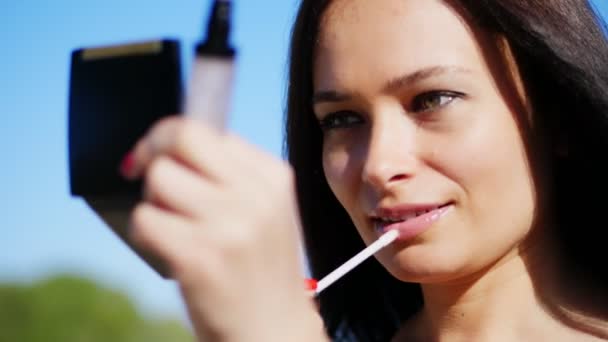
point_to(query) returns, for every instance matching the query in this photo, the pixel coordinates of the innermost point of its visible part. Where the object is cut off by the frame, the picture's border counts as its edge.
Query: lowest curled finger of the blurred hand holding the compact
(163, 234)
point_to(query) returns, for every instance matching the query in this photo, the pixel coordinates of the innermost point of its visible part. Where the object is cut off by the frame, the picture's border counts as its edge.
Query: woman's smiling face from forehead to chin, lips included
(421, 135)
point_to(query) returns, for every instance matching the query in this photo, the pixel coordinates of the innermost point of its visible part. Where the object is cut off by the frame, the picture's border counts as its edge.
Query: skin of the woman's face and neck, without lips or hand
(389, 140)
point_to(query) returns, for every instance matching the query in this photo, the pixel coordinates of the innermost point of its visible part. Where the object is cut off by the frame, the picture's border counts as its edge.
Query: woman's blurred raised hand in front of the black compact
(223, 217)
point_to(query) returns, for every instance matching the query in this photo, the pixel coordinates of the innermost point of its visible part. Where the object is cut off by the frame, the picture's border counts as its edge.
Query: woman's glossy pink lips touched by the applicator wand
(409, 220)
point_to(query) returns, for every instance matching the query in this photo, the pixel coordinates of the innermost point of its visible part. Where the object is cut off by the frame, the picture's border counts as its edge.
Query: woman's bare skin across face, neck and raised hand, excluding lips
(234, 252)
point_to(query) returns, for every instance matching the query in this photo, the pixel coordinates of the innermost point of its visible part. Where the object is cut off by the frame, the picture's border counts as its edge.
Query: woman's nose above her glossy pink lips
(390, 156)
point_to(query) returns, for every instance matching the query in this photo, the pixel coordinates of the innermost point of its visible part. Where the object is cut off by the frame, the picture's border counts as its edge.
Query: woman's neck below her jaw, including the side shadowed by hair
(501, 301)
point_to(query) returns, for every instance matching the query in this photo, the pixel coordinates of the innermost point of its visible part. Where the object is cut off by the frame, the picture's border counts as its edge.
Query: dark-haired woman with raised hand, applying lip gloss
(474, 128)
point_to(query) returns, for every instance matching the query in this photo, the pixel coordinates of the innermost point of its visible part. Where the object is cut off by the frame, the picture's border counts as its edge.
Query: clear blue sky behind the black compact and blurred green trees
(44, 230)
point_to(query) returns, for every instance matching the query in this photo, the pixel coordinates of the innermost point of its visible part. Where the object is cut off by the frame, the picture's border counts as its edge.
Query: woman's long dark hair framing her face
(561, 51)
